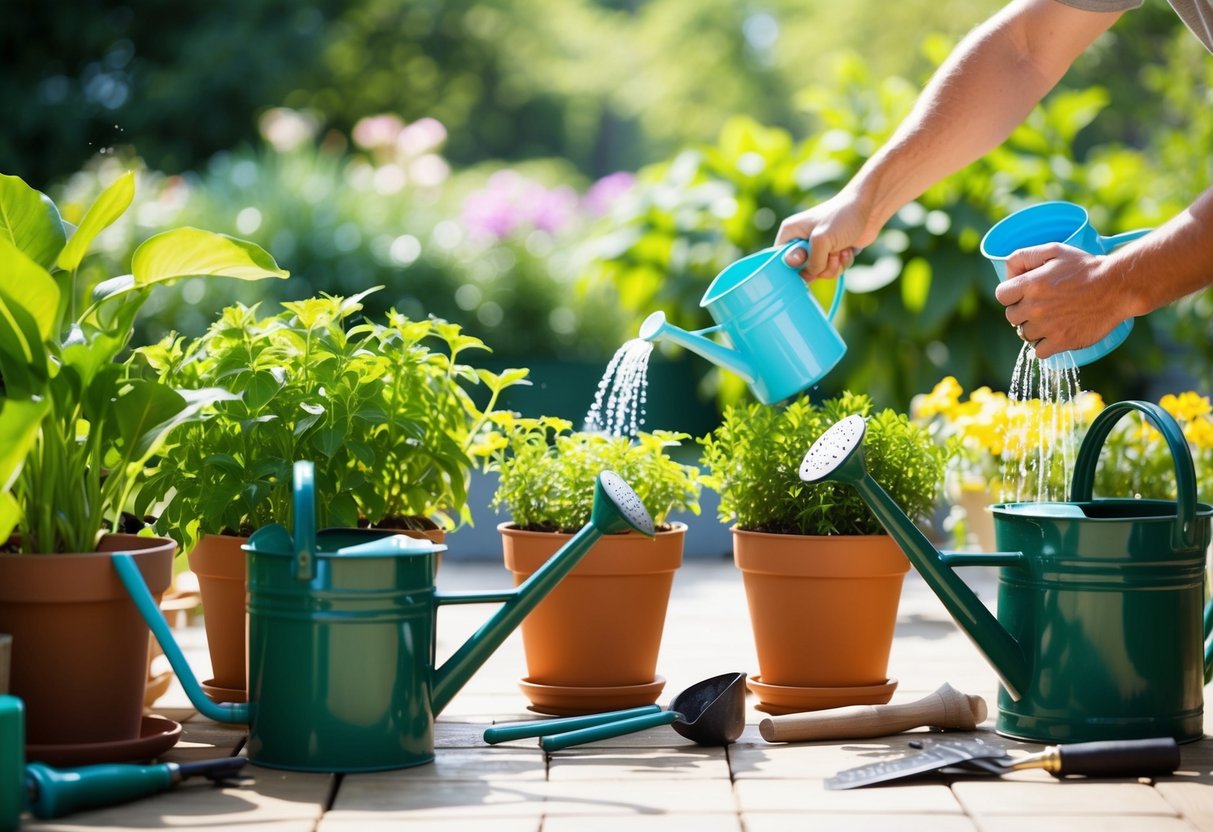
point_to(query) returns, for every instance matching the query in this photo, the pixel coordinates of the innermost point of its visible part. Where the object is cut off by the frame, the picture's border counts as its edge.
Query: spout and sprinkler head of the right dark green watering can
(839, 455)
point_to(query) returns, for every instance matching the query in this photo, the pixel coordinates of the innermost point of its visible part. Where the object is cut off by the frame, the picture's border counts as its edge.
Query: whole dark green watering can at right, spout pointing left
(1102, 622)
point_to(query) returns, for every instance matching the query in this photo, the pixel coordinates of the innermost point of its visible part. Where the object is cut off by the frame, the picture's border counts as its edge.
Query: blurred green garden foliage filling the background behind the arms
(755, 110)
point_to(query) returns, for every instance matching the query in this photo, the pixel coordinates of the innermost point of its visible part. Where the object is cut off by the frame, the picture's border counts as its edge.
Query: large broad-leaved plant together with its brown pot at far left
(78, 432)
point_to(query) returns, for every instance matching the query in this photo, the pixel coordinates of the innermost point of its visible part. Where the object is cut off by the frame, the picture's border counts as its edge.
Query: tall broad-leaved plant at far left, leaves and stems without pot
(79, 430)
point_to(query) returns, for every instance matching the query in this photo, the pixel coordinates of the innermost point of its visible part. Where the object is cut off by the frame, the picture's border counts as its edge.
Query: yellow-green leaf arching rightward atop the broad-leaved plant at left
(186, 253)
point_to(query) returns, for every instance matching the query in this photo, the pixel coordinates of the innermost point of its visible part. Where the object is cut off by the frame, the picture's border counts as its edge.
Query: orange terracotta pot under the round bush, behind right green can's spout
(823, 609)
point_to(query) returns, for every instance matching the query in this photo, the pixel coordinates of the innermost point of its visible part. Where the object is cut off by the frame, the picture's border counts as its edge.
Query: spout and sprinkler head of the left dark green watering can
(616, 509)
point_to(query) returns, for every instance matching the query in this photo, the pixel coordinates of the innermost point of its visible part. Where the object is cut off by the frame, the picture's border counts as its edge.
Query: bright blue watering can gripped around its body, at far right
(1070, 225)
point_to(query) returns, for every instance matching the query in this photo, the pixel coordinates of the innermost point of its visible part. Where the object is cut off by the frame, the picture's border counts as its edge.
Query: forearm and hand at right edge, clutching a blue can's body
(1067, 299)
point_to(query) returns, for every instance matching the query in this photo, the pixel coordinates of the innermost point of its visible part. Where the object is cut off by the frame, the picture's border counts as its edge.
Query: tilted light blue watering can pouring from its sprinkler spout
(782, 341)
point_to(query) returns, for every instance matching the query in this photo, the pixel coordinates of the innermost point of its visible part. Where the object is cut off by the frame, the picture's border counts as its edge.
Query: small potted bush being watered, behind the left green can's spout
(593, 645)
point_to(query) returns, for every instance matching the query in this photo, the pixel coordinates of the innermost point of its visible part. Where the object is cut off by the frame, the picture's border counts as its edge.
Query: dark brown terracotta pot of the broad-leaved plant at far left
(79, 647)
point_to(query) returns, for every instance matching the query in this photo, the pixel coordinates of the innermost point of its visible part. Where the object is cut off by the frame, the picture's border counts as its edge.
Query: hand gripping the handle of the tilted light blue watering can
(836, 231)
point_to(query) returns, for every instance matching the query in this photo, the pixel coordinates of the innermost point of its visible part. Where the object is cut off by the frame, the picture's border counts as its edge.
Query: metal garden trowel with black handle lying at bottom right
(1112, 759)
